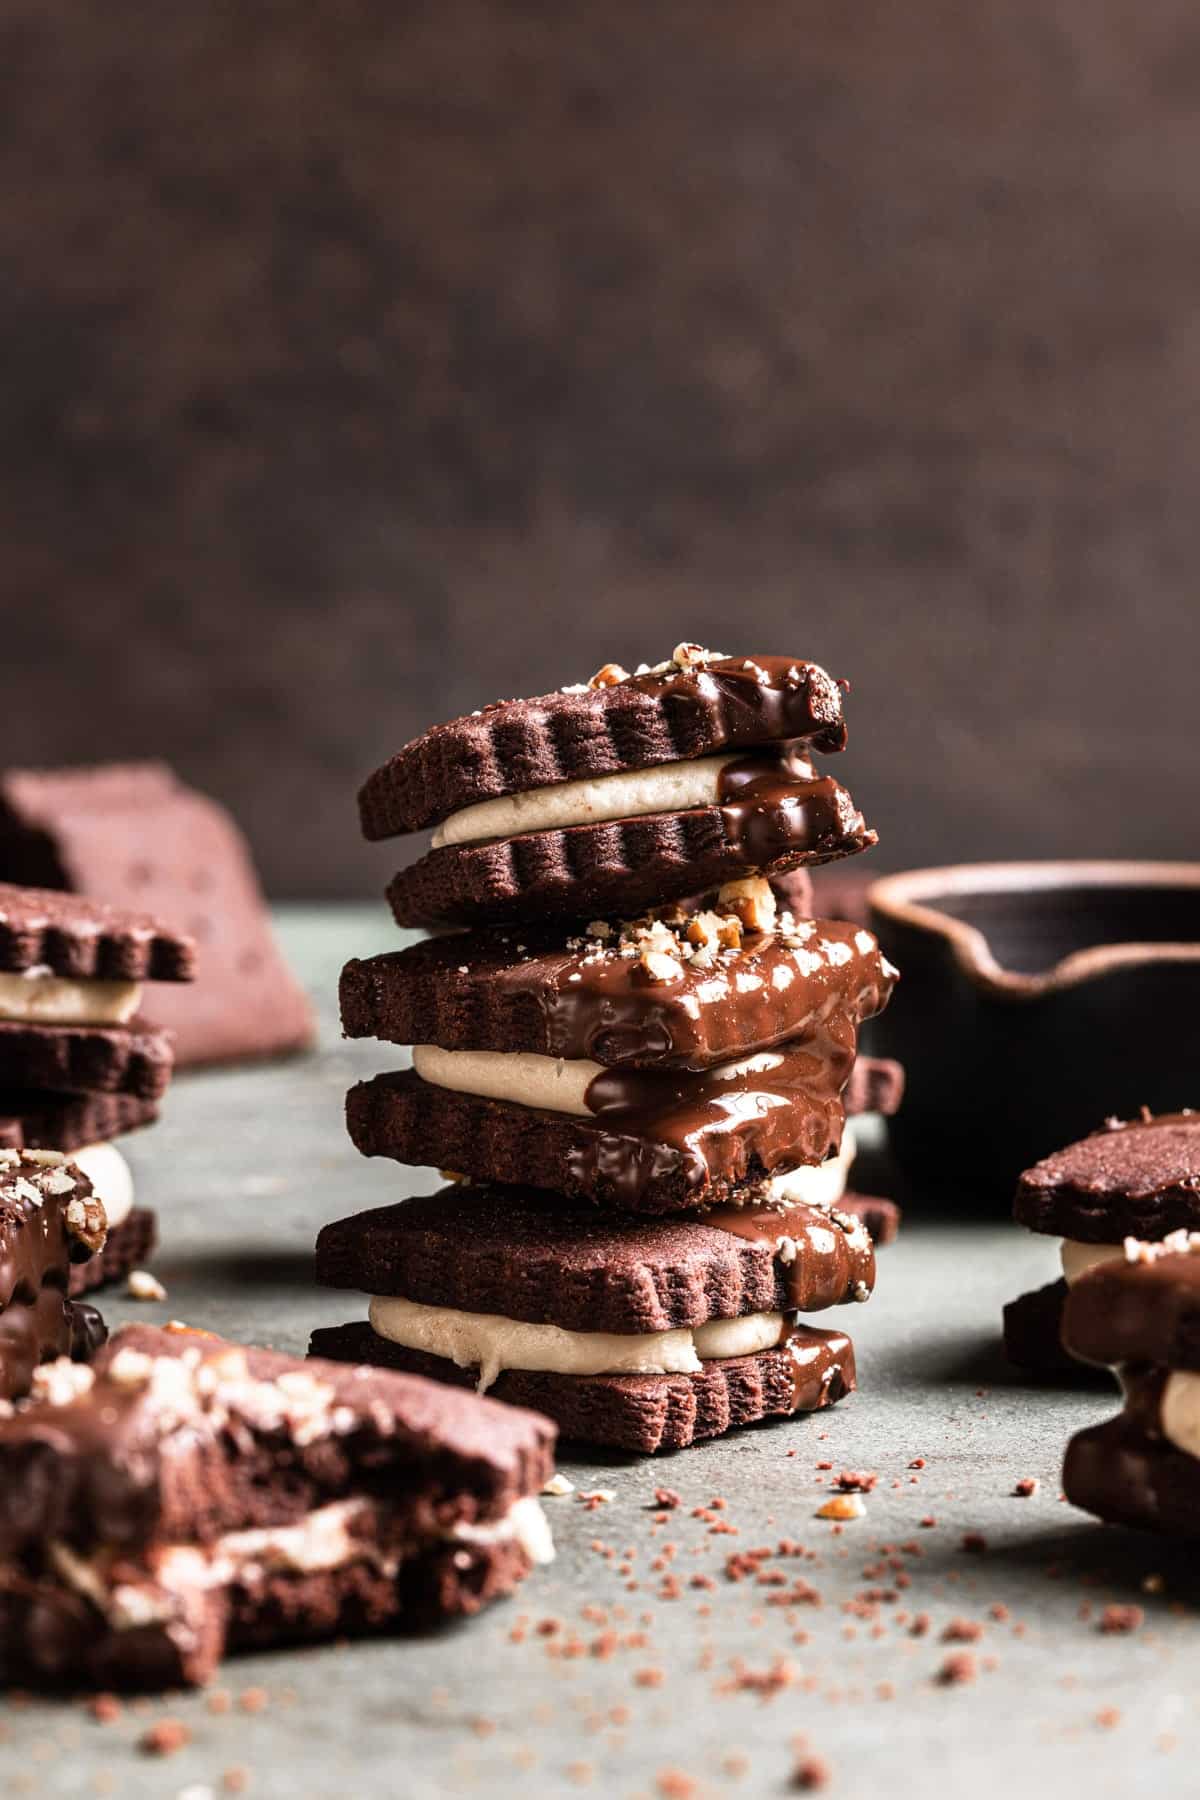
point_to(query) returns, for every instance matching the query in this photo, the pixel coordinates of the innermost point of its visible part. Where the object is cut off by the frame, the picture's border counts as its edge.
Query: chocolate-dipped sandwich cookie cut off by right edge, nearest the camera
(1142, 1317)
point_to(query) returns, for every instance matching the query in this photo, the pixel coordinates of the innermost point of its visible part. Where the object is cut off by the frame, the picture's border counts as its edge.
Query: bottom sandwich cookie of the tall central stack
(638, 1335)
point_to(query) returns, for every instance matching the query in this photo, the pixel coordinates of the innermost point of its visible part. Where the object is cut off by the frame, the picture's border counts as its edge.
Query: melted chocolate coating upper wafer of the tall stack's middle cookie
(602, 1007)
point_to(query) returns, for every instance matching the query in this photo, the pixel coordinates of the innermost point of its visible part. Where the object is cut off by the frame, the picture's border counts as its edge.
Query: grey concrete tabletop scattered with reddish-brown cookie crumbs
(634, 1693)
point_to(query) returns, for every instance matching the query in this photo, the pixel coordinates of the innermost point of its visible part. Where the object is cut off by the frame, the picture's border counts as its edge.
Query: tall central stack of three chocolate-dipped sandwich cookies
(634, 1059)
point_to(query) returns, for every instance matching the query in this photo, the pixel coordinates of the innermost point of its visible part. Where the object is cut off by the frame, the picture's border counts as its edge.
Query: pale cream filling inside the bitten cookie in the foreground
(325, 1540)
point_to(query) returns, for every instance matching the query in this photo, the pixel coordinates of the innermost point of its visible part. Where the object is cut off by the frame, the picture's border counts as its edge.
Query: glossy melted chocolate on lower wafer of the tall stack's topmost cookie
(780, 807)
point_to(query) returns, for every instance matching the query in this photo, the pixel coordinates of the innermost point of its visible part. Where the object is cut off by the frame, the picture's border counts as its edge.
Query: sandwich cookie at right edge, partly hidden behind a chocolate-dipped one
(1138, 1178)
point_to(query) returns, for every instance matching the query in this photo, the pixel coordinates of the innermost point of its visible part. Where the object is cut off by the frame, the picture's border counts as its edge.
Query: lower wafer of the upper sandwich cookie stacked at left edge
(84, 1059)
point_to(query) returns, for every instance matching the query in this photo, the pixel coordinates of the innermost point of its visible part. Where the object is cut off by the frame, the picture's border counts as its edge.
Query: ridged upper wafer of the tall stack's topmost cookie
(641, 723)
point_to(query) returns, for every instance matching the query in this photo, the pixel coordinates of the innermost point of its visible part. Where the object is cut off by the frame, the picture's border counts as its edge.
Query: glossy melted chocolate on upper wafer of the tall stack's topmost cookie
(762, 697)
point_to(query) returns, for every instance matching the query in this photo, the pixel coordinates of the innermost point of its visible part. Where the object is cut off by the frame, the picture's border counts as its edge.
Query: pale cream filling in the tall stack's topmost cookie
(672, 787)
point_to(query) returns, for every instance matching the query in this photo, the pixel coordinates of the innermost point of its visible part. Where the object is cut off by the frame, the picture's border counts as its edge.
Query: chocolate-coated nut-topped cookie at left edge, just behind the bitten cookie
(49, 1219)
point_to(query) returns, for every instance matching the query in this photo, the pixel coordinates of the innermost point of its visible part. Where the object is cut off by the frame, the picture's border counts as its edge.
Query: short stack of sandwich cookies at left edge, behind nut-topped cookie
(78, 1061)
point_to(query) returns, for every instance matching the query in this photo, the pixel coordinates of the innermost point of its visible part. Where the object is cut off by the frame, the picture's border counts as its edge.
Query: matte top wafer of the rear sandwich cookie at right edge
(1138, 1178)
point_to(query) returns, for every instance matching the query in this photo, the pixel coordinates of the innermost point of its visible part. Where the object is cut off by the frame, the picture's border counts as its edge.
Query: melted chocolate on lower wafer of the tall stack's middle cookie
(721, 1128)
